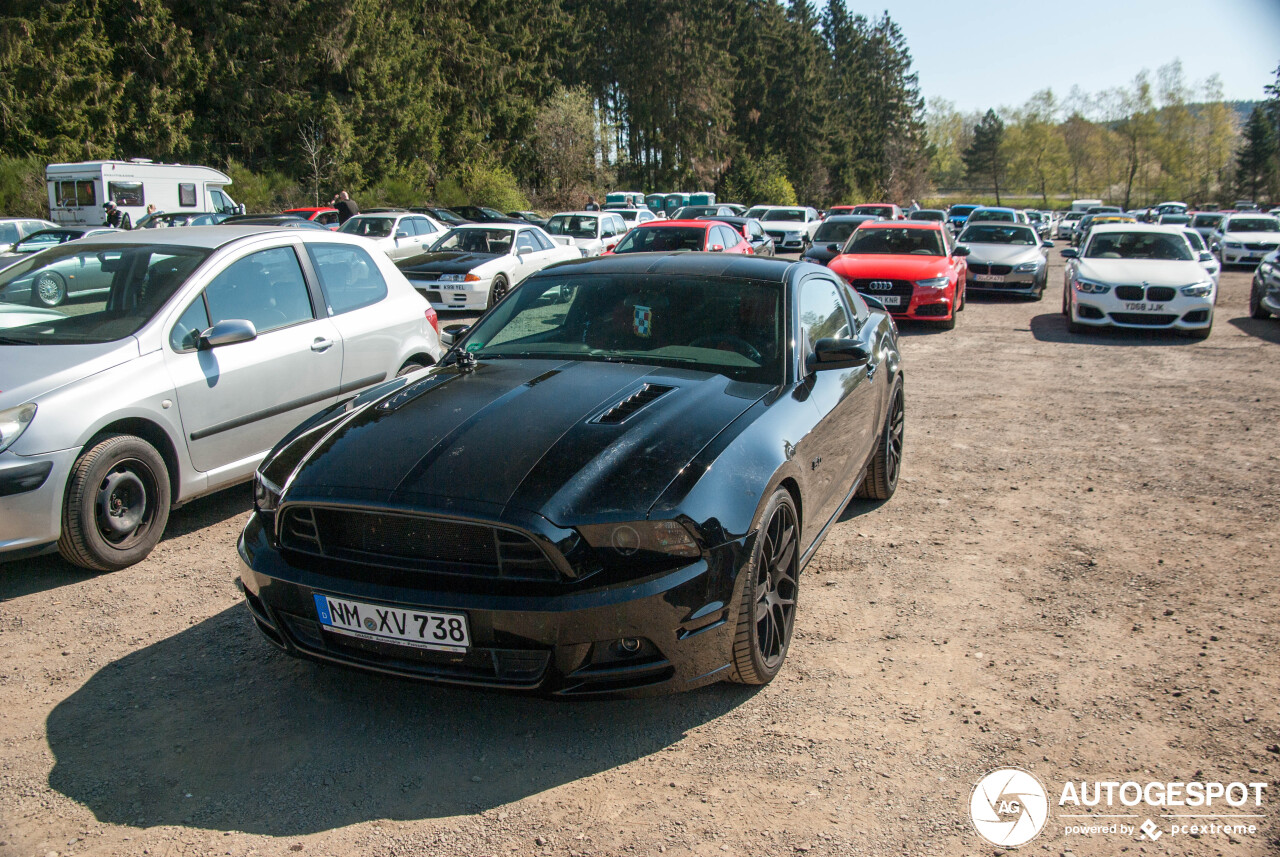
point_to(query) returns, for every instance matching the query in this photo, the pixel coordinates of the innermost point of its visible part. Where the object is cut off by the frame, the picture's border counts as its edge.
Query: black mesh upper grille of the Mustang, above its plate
(415, 543)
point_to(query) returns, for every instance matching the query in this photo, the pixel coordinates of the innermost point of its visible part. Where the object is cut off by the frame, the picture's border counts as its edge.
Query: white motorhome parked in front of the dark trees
(79, 193)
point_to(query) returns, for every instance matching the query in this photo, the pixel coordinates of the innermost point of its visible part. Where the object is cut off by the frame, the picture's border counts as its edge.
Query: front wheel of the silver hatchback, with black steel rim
(117, 505)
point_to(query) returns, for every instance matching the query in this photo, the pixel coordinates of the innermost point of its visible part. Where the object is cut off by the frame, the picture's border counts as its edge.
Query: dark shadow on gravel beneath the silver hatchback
(48, 572)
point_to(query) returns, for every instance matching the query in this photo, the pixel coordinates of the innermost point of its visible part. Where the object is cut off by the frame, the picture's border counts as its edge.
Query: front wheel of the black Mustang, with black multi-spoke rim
(767, 612)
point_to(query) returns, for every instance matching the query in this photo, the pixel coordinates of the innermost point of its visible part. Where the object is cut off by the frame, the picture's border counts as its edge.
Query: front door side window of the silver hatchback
(266, 288)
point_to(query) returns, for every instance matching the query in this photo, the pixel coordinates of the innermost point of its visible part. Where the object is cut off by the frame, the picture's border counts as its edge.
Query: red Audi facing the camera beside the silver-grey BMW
(913, 269)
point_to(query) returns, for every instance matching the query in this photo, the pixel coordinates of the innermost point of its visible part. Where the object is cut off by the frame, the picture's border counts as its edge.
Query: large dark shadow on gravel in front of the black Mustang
(216, 730)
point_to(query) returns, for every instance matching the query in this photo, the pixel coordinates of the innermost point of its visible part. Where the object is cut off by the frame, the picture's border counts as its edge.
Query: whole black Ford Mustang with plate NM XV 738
(611, 484)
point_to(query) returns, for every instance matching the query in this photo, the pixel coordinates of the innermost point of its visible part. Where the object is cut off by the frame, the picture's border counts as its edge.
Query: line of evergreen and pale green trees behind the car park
(511, 103)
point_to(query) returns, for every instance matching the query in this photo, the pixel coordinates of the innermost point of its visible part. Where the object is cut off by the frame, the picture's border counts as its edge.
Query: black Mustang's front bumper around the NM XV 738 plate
(550, 643)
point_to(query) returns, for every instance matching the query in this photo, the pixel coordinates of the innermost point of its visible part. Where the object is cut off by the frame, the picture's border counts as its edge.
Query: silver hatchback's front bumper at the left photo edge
(31, 499)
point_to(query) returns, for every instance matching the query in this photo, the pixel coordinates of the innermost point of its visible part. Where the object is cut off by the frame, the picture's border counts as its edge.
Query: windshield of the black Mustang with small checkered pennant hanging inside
(732, 327)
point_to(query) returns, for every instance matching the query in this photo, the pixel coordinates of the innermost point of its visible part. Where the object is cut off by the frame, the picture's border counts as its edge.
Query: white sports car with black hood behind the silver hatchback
(474, 267)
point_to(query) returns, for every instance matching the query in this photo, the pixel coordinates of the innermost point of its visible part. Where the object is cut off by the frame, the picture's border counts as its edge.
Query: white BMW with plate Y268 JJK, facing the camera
(1132, 276)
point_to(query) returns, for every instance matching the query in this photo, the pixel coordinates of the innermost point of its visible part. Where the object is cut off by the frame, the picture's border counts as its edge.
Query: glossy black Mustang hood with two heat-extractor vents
(528, 436)
